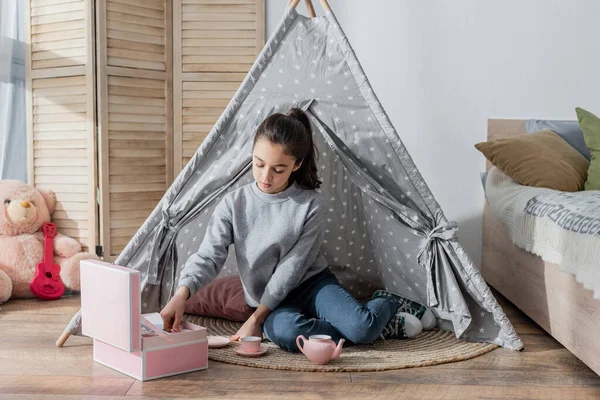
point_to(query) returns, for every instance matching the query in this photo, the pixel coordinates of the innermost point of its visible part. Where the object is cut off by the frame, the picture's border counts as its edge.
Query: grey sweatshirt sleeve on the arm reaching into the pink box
(204, 266)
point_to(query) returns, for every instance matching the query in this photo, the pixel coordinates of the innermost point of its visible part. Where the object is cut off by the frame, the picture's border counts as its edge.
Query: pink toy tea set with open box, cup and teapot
(135, 344)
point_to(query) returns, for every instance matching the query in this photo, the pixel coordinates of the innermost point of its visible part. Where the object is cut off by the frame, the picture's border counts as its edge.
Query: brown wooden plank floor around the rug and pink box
(32, 367)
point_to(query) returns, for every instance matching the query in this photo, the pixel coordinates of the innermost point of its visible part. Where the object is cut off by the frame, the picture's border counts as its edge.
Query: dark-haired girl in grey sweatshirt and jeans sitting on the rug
(276, 224)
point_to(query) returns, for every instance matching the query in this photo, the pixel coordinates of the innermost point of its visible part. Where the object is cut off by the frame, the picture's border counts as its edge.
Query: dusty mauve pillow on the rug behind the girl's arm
(222, 298)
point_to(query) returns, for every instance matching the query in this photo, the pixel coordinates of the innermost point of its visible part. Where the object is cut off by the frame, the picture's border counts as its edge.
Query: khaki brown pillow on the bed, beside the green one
(540, 159)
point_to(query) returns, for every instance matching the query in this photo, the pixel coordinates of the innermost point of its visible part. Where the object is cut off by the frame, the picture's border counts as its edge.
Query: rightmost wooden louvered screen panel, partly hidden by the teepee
(215, 44)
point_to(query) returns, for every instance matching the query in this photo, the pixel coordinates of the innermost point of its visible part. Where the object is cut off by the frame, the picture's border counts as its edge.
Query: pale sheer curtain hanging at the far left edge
(13, 134)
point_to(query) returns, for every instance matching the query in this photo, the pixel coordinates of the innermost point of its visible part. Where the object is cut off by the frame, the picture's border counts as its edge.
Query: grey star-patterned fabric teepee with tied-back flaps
(384, 227)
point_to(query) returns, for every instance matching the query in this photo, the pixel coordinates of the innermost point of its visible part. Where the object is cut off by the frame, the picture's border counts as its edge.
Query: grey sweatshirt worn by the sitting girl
(277, 242)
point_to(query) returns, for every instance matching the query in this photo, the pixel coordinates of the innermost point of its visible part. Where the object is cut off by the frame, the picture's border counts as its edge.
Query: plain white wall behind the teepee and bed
(442, 68)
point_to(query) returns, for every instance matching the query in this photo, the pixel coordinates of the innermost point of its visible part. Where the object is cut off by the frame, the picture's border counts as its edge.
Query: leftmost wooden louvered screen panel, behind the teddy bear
(60, 111)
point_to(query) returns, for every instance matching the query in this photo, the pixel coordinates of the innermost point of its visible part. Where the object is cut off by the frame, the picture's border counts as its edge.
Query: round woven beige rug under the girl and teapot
(429, 348)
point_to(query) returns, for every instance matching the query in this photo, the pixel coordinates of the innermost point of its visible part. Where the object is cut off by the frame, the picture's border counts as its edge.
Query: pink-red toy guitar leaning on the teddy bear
(47, 284)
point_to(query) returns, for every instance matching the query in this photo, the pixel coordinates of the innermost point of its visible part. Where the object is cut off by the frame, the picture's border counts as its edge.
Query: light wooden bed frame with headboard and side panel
(553, 299)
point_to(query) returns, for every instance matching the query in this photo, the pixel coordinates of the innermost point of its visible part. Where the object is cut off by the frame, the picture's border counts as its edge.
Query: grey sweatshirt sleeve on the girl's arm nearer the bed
(297, 261)
